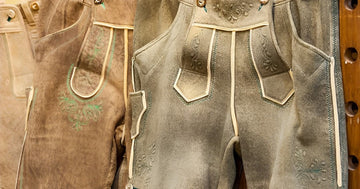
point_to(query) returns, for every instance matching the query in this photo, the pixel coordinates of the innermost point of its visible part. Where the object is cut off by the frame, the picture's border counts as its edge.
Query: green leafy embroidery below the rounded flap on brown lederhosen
(79, 114)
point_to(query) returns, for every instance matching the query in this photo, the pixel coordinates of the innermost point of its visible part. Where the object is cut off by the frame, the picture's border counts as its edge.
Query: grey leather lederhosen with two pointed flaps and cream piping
(260, 81)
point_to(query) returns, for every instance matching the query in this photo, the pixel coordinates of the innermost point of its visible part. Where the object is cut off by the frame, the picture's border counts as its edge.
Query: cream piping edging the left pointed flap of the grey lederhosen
(207, 91)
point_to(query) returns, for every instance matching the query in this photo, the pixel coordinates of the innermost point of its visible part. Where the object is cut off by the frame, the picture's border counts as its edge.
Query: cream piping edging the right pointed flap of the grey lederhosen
(288, 96)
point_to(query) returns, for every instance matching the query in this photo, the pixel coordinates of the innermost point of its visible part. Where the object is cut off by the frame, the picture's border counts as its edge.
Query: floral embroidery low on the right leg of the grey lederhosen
(309, 172)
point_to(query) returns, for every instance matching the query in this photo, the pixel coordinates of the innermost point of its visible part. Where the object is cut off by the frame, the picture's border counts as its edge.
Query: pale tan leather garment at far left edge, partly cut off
(18, 29)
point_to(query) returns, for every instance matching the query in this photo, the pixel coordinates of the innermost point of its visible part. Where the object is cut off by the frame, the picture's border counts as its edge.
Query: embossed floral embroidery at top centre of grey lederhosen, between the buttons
(232, 11)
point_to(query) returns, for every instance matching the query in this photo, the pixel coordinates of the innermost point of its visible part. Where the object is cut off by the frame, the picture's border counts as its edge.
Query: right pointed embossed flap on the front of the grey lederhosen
(274, 73)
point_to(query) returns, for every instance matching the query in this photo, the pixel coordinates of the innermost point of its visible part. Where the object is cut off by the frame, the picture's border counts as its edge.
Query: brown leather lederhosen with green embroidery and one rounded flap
(75, 133)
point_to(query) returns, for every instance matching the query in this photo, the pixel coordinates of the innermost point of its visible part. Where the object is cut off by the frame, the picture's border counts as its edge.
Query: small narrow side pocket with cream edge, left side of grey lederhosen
(138, 108)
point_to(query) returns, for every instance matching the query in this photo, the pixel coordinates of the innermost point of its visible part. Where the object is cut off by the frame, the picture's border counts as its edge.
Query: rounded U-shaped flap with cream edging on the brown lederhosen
(88, 74)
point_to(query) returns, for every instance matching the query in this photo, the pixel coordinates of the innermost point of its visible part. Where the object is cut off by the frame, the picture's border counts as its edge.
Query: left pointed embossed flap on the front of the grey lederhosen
(194, 77)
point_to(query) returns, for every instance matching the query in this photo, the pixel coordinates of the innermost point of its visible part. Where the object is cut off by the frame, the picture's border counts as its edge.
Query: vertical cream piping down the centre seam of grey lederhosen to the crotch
(232, 98)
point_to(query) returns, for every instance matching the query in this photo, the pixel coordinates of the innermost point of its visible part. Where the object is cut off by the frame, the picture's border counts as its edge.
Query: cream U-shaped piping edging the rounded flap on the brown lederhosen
(103, 71)
